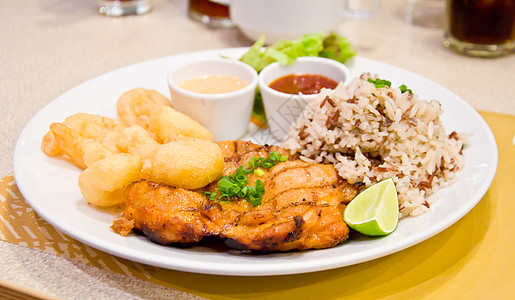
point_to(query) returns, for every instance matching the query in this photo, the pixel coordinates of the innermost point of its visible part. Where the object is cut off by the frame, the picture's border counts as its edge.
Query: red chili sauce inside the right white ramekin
(306, 84)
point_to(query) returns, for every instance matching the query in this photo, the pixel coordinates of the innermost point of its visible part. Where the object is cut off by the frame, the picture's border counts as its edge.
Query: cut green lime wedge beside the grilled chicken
(375, 211)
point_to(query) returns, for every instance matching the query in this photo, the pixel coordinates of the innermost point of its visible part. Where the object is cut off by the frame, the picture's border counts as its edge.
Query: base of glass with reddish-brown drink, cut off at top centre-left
(214, 13)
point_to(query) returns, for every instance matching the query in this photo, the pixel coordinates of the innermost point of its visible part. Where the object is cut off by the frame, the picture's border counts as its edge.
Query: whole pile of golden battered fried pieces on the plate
(151, 141)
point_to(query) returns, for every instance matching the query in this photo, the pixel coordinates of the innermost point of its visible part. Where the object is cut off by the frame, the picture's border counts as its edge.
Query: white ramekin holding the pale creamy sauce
(226, 115)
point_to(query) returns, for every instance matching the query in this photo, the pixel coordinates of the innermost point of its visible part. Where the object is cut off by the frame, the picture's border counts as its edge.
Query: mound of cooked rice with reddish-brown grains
(370, 134)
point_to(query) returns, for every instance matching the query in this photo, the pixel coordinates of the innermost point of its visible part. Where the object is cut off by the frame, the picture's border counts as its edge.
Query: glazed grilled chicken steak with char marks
(301, 208)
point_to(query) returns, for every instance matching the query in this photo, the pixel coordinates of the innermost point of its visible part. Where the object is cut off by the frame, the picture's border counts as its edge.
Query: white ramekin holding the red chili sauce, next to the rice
(282, 109)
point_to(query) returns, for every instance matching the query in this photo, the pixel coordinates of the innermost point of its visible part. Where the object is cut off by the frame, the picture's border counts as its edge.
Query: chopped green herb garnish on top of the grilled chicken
(236, 185)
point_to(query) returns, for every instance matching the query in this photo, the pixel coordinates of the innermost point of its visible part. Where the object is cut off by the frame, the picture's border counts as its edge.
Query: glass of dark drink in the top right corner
(481, 27)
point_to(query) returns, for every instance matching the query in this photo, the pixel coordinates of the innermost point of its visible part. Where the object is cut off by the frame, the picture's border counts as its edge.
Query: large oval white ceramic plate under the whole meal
(50, 185)
